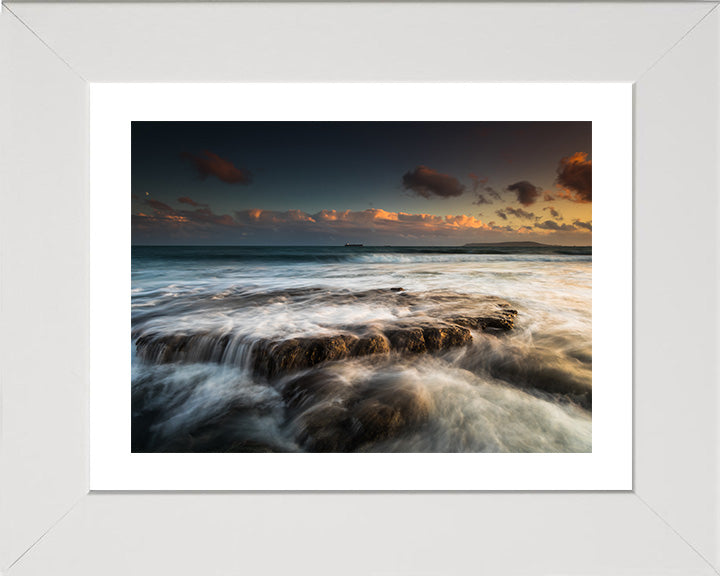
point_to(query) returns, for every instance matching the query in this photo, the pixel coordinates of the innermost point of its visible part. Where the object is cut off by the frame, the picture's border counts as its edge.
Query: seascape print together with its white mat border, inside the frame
(396, 323)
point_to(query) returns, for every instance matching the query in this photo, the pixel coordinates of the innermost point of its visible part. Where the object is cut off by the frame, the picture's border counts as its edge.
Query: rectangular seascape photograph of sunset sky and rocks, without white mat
(406, 287)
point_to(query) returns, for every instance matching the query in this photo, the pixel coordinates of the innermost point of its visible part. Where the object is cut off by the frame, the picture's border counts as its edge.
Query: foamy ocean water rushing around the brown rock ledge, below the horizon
(525, 390)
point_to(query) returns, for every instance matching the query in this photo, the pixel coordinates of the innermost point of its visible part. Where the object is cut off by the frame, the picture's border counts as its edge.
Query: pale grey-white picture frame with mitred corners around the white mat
(668, 523)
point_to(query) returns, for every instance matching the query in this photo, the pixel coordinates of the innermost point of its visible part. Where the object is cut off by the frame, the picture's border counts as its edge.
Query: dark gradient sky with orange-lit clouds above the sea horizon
(377, 183)
